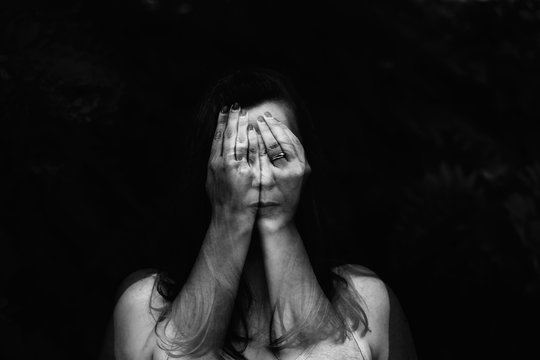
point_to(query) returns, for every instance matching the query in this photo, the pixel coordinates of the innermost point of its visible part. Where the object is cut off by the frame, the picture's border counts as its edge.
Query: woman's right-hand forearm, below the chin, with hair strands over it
(292, 284)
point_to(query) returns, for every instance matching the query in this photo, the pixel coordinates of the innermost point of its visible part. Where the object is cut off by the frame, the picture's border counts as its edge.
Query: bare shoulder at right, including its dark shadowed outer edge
(389, 335)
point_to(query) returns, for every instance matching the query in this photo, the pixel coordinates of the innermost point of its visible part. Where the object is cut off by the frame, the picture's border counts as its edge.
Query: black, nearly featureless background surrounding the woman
(428, 111)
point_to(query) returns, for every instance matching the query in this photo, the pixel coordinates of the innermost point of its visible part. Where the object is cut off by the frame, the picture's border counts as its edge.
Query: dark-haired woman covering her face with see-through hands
(260, 287)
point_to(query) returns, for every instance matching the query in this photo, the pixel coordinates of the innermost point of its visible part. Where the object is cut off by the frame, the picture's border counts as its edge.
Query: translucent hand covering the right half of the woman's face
(283, 170)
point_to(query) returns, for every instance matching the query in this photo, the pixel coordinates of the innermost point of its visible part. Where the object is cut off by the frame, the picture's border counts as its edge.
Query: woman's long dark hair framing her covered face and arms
(251, 87)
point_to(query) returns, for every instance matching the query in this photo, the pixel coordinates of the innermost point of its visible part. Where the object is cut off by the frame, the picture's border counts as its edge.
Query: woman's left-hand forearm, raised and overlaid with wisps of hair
(202, 310)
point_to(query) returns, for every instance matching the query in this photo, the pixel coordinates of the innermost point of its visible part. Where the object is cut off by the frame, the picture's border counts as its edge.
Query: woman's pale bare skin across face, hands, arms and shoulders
(252, 234)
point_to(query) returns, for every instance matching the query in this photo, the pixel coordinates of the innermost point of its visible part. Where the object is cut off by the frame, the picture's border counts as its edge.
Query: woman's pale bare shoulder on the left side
(134, 319)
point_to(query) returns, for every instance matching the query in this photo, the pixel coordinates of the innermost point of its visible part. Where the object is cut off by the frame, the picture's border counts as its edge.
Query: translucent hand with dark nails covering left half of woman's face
(232, 181)
